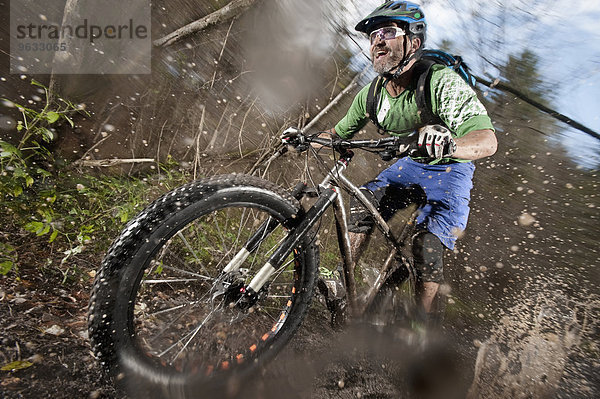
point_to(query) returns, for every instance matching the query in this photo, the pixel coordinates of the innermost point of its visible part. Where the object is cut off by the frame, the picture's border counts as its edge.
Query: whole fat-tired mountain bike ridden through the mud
(214, 278)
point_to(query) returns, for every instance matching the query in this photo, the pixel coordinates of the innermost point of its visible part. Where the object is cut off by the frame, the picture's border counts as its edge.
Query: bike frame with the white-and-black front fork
(329, 194)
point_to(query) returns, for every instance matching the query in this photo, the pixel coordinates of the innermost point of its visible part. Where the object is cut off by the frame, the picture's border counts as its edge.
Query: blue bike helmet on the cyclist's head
(408, 15)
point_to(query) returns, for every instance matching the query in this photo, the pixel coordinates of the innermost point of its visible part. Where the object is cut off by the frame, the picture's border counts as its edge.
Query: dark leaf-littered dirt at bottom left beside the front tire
(43, 328)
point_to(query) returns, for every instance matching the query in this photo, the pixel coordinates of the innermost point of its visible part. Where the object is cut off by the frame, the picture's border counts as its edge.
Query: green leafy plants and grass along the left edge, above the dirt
(72, 212)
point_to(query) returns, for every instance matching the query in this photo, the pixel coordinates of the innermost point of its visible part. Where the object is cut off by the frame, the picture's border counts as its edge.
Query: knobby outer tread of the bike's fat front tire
(100, 323)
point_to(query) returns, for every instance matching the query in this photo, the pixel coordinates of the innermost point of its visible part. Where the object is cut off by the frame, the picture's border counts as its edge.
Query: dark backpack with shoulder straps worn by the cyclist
(422, 75)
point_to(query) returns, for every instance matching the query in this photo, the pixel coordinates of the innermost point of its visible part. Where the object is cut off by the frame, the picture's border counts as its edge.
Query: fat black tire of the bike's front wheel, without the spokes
(110, 315)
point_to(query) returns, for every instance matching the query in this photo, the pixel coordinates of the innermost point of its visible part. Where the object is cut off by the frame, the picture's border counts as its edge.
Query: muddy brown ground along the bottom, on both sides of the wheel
(544, 347)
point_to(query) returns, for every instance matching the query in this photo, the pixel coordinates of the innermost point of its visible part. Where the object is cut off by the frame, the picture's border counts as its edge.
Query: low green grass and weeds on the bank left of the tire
(74, 215)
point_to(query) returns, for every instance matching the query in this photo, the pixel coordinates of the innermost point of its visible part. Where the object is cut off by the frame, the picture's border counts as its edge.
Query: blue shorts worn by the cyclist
(448, 189)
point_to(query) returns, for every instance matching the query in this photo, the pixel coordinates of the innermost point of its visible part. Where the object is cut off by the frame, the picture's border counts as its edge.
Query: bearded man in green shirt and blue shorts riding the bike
(463, 132)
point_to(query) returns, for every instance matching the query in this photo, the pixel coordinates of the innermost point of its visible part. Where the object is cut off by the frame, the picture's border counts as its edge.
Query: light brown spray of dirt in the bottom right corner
(544, 347)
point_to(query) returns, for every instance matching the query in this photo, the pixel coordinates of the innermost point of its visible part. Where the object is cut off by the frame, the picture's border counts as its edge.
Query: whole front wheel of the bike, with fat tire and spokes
(166, 307)
